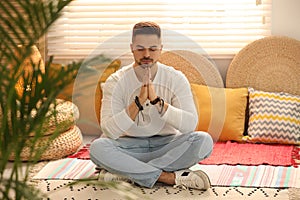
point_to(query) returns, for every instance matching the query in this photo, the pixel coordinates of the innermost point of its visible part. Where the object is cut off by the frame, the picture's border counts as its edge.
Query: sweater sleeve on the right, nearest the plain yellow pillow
(182, 112)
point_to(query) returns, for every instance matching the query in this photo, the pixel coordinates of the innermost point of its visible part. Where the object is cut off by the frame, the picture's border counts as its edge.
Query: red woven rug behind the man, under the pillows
(233, 153)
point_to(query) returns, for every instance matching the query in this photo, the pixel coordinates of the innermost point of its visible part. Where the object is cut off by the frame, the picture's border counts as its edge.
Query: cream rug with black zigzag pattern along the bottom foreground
(58, 189)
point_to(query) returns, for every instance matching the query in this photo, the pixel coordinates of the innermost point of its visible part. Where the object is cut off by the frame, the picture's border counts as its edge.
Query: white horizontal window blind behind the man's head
(218, 27)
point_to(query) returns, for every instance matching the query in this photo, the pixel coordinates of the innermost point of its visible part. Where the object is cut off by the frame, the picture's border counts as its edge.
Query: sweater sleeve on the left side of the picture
(114, 119)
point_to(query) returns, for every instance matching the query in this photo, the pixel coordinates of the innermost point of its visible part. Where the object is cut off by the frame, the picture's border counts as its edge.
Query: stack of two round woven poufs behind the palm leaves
(59, 136)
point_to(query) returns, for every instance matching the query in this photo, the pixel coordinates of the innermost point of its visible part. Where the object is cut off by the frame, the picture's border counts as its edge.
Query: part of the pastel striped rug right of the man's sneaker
(252, 176)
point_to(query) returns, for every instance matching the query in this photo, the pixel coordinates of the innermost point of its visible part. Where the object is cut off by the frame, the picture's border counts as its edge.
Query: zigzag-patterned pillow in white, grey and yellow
(274, 117)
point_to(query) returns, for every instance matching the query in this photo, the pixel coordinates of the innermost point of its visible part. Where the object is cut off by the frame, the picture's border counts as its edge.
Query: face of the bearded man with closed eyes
(146, 49)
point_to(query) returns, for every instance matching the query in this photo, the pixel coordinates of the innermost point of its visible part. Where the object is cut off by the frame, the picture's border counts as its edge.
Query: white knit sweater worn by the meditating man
(120, 90)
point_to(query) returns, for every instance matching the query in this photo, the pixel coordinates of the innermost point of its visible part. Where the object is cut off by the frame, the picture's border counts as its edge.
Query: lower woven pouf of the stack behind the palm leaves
(64, 144)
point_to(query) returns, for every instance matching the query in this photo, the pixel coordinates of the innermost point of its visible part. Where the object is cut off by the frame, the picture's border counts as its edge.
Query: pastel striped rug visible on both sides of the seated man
(220, 175)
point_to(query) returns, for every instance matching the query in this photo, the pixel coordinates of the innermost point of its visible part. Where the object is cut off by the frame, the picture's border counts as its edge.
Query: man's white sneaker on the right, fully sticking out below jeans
(192, 179)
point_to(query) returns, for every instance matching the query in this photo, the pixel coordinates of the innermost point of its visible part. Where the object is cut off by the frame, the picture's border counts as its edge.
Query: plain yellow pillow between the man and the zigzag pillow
(222, 111)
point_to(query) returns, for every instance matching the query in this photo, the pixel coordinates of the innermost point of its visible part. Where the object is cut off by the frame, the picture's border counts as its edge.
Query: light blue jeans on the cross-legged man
(142, 160)
